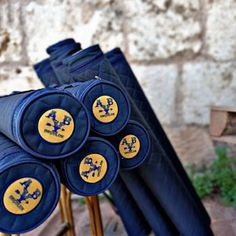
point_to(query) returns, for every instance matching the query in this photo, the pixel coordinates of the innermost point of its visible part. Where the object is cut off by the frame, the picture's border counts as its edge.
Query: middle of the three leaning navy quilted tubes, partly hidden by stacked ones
(158, 171)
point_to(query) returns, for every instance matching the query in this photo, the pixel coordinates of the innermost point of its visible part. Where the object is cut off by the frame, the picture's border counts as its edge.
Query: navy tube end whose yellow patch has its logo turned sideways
(92, 170)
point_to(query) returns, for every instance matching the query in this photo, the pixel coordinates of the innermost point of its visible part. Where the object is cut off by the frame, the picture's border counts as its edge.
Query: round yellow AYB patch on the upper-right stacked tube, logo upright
(105, 109)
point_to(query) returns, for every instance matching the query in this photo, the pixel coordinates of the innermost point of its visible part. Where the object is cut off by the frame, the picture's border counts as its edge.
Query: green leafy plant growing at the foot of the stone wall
(218, 178)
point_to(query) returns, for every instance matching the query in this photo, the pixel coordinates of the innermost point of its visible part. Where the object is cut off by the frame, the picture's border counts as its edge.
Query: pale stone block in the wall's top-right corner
(220, 33)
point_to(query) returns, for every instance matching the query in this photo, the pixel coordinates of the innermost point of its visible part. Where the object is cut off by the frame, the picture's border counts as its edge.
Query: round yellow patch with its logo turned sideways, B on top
(93, 168)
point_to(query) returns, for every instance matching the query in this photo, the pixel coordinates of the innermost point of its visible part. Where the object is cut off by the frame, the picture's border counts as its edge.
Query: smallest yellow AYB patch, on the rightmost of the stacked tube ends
(129, 146)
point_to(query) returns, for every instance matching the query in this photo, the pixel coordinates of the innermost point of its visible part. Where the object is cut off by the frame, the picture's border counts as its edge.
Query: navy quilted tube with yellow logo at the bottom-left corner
(29, 189)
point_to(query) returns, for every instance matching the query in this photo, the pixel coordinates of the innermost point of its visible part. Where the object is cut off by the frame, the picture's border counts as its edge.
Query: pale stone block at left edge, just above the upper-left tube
(18, 79)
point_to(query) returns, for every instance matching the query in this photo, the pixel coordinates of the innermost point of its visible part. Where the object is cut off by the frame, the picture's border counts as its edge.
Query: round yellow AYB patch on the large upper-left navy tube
(56, 125)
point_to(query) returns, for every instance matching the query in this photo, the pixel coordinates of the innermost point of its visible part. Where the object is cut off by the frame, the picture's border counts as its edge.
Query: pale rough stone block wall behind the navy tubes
(183, 51)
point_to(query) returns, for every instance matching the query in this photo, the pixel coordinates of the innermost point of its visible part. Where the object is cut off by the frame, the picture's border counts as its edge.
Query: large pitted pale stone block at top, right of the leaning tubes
(163, 29)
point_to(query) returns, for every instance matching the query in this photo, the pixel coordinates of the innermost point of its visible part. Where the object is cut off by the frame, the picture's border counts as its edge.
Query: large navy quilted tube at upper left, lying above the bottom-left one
(47, 123)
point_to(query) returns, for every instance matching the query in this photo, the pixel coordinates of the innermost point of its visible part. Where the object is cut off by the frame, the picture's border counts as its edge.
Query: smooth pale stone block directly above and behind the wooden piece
(204, 85)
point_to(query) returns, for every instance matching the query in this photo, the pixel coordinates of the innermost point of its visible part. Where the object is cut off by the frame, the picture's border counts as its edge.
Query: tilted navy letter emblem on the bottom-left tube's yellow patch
(25, 195)
